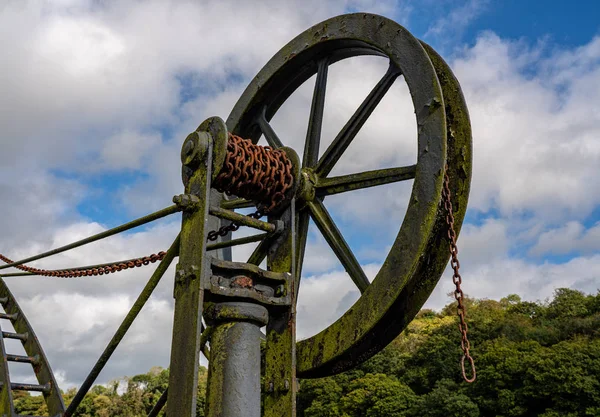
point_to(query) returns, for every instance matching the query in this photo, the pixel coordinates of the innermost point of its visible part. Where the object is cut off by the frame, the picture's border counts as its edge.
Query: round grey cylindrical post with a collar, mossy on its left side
(234, 367)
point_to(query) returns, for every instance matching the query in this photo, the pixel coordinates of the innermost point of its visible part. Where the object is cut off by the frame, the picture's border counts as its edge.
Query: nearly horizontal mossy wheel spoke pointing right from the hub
(341, 184)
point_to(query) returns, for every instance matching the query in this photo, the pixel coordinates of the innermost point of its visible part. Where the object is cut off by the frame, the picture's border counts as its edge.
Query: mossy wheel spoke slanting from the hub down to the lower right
(336, 241)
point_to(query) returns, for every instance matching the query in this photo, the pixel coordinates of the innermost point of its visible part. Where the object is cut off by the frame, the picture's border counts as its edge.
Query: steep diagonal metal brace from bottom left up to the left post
(135, 309)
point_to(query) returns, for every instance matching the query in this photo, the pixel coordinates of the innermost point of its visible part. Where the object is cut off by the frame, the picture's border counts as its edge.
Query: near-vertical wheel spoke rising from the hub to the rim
(315, 122)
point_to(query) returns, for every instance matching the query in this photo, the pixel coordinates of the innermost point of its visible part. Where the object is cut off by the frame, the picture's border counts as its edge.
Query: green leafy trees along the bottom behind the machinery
(533, 359)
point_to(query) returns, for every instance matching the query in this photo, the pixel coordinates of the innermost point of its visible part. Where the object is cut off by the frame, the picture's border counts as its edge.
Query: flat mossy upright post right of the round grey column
(280, 356)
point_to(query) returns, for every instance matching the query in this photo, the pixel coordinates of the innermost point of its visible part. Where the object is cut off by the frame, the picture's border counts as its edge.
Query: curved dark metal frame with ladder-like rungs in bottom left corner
(35, 357)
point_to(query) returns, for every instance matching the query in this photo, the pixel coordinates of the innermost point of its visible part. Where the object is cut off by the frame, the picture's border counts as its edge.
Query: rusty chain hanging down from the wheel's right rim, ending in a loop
(457, 279)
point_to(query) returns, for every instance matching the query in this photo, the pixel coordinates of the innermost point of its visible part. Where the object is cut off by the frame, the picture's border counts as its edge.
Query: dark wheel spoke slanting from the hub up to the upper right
(358, 119)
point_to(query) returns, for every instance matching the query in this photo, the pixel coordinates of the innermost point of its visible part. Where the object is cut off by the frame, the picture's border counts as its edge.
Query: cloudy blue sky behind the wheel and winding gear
(96, 98)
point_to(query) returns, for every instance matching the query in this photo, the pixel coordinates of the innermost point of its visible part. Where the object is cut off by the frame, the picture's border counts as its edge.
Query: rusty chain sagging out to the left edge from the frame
(97, 270)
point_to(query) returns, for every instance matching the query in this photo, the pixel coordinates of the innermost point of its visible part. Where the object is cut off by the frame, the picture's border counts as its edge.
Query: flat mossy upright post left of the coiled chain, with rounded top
(196, 156)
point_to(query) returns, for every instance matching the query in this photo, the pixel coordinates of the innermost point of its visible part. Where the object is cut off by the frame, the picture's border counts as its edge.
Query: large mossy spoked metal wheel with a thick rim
(420, 251)
